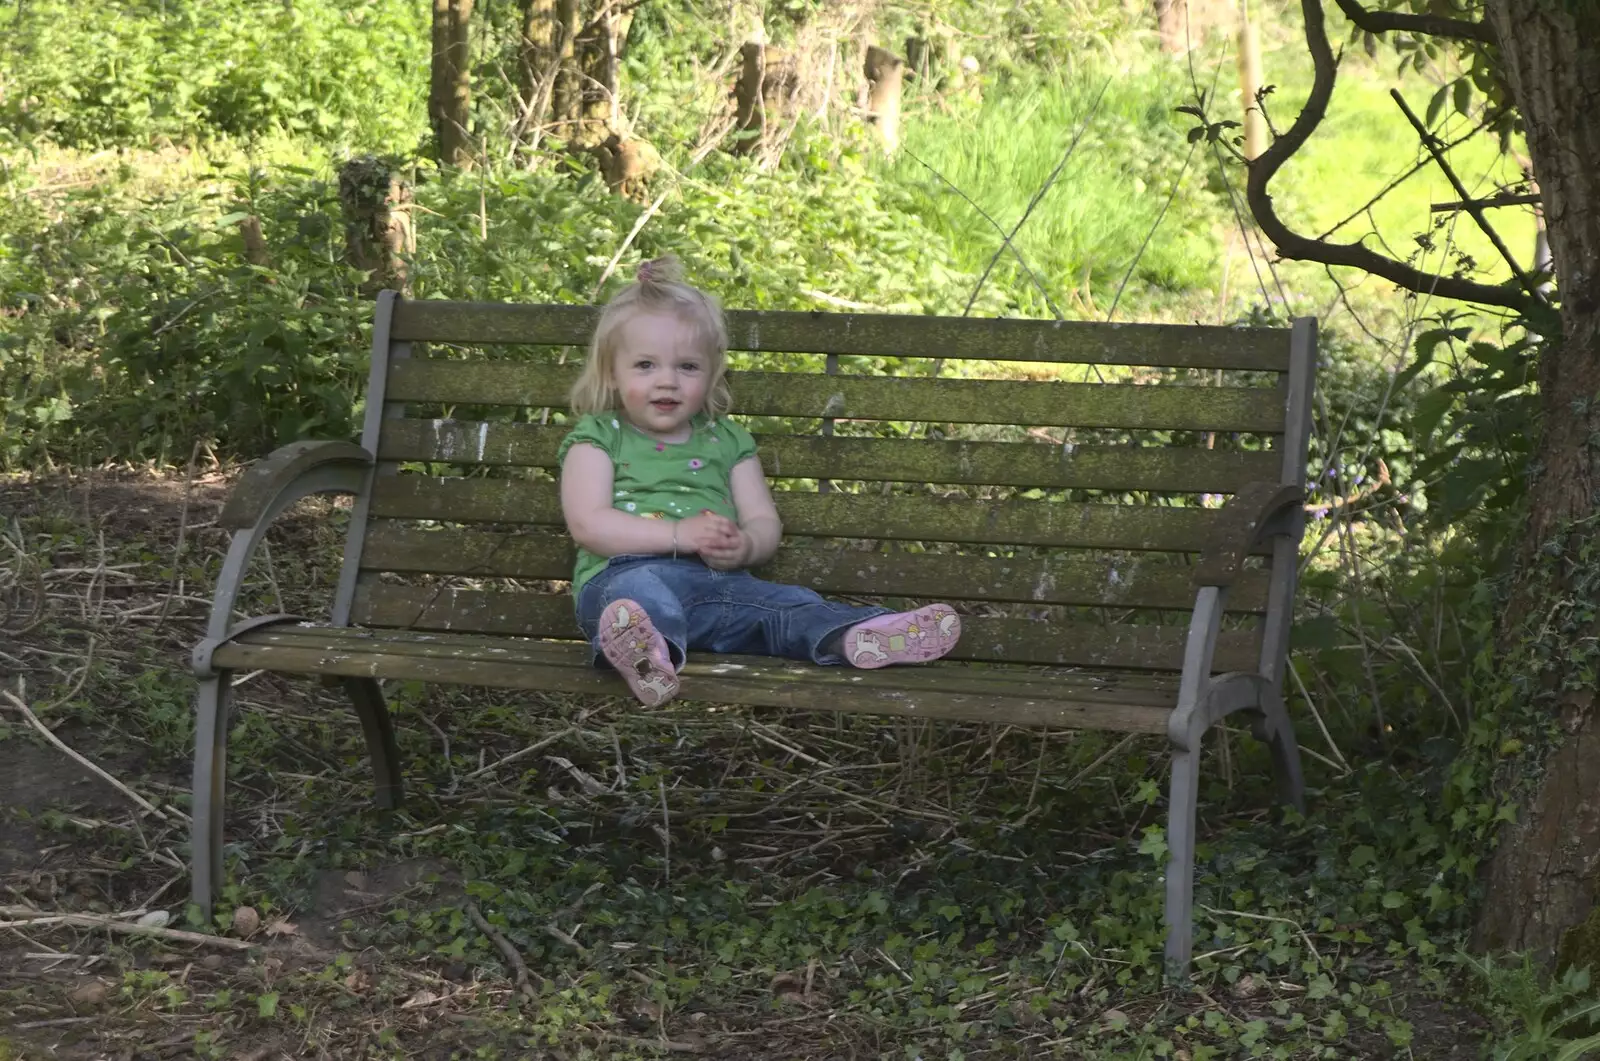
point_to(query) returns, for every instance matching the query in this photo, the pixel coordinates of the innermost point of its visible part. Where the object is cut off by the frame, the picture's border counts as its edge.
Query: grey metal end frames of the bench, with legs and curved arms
(1263, 513)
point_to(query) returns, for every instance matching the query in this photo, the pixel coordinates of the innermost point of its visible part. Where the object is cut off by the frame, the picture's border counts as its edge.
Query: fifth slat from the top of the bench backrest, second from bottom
(1062, 580)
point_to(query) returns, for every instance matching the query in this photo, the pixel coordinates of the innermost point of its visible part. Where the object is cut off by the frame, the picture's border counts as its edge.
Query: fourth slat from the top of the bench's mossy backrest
(1074, 526)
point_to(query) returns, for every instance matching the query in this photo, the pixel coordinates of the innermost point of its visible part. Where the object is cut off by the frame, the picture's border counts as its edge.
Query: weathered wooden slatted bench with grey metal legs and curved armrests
(1078, 526)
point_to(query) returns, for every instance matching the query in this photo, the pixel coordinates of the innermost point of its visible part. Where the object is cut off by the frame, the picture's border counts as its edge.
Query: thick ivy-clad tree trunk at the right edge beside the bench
(1545, 876)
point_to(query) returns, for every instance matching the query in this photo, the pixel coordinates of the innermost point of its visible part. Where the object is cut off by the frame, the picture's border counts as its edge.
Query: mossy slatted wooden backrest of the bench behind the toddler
(1082, 503)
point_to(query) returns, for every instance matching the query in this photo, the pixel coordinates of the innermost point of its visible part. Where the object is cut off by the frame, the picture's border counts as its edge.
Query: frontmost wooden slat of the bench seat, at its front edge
(711, 681)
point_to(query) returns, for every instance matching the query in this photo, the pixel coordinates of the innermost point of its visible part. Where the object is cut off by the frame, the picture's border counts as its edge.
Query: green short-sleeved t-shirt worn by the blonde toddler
(662, 481)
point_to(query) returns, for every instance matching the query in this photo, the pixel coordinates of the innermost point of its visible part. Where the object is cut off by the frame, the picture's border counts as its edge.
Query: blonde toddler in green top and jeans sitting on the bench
(670, 508)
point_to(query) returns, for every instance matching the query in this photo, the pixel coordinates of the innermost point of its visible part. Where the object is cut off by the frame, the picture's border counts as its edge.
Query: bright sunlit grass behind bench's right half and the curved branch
(1089, 228)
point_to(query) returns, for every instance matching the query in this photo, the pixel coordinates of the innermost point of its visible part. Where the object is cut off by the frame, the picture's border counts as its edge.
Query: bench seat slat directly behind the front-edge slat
(1105, 687)
